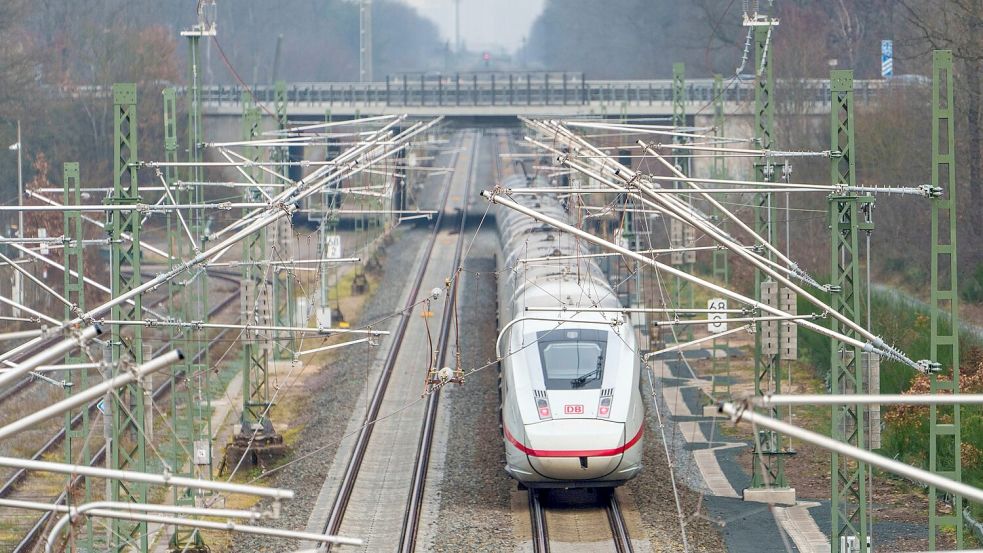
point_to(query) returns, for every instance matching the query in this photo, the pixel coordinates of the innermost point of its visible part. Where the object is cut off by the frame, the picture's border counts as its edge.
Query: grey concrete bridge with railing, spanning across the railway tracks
(491, 97)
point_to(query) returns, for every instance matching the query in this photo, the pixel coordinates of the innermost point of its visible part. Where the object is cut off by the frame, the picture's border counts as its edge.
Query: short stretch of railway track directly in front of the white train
(577, 523)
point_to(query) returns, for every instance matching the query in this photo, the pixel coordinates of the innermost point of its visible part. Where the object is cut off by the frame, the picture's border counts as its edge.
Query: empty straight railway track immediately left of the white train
(410, 488)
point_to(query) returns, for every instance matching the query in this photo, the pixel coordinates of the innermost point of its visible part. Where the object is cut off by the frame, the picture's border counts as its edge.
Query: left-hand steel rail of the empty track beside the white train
(347, 485)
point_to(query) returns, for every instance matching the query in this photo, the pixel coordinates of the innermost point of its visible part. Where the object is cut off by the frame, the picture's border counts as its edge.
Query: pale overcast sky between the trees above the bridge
(483, 22)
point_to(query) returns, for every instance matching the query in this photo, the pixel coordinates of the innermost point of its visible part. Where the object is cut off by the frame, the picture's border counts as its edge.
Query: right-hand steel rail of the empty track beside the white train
(411, 516)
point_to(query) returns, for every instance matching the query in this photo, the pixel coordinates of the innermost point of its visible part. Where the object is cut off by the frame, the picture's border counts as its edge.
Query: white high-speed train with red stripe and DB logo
(572, 413)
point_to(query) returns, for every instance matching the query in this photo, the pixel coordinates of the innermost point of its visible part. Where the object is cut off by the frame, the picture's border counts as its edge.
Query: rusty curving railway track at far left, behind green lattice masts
(12, 484)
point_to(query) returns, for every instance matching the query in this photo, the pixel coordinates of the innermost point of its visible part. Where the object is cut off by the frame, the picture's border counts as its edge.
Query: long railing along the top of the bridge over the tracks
(522, 89)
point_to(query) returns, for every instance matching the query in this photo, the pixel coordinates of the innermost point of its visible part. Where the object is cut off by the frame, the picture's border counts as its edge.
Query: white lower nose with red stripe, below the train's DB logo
(575, 448)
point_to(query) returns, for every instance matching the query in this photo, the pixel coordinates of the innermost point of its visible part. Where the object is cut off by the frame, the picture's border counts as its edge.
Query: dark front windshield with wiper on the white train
(572, 359)
